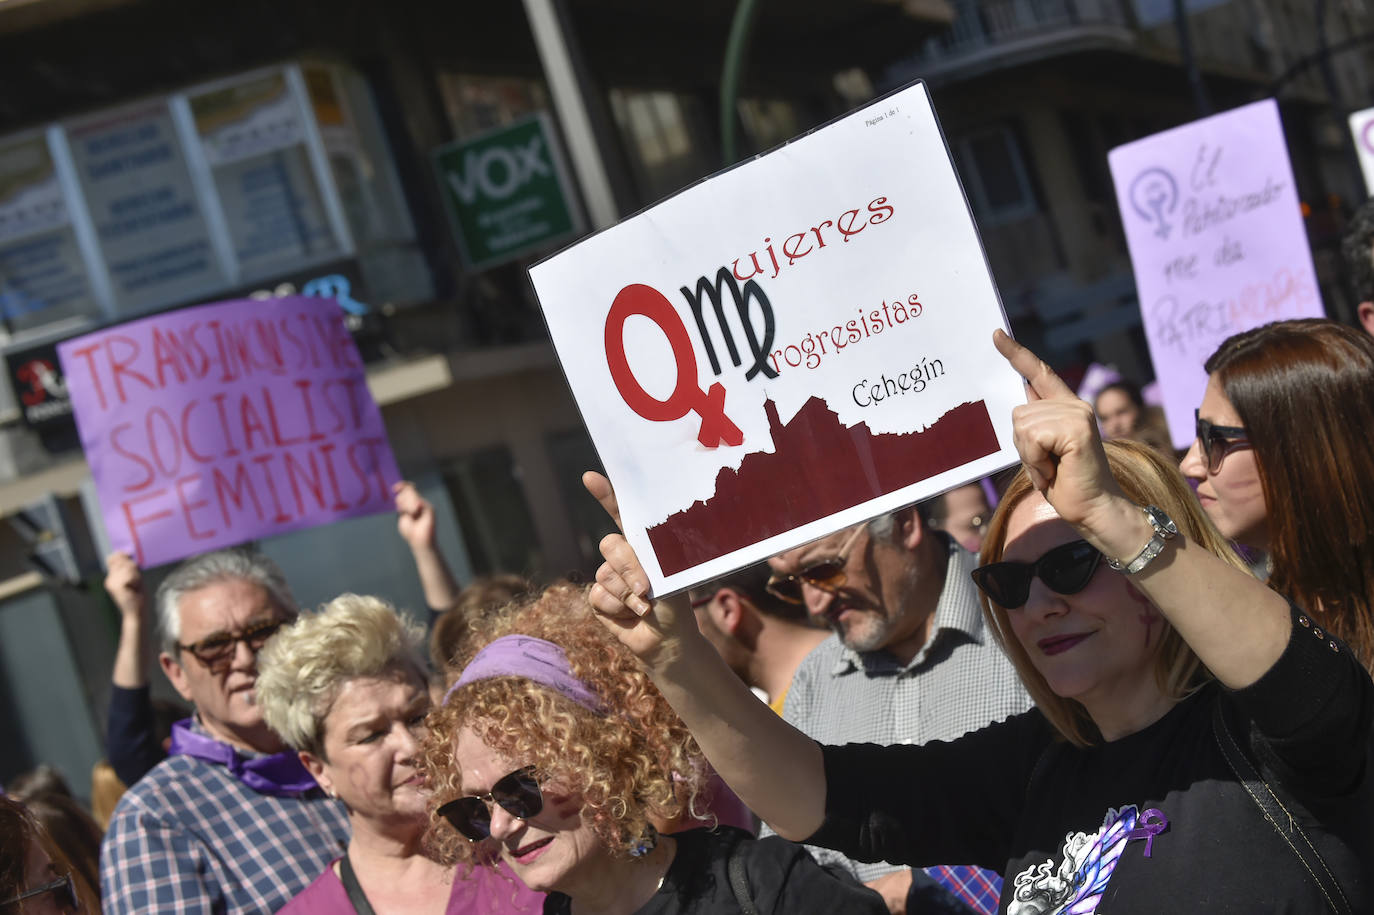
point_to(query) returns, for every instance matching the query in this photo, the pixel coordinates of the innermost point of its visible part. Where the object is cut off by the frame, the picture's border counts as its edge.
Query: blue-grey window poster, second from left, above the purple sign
(148, 221)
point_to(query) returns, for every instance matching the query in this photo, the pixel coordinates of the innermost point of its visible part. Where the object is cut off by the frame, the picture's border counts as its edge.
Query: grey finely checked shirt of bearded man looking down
(960, 682)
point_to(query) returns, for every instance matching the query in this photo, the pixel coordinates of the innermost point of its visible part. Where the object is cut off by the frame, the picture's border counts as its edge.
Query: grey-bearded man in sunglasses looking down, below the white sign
(910, 662)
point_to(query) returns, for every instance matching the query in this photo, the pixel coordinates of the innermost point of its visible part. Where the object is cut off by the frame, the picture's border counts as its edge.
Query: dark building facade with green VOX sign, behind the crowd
(157, 155)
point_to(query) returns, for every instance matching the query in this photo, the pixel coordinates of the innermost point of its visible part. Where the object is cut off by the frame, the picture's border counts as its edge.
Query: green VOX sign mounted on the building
(508, 193)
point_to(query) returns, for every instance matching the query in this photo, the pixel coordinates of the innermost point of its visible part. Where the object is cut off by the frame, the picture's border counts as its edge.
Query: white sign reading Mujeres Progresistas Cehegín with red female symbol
(795, 346)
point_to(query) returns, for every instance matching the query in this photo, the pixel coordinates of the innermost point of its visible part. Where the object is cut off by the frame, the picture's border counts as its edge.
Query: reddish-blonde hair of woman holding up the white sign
(1149, 480)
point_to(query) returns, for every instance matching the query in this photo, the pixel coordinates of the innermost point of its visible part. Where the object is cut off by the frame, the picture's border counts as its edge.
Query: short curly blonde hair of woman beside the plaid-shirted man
(303, 668)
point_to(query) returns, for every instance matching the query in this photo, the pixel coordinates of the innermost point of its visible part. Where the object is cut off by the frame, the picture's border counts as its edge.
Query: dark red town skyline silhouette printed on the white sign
(820, 466)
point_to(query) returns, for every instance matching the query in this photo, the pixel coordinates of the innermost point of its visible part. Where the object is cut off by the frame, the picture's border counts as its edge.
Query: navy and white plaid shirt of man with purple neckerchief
(192, 839)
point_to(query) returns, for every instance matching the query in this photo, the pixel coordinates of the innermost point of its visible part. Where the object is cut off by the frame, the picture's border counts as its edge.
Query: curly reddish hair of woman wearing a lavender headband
(634, 765)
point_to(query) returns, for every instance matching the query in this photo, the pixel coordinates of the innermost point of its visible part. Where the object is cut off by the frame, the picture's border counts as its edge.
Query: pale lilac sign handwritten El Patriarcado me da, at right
(1217, 238)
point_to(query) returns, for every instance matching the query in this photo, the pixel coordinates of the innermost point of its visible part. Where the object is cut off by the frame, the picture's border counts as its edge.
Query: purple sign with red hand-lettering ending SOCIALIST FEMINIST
(230, 422)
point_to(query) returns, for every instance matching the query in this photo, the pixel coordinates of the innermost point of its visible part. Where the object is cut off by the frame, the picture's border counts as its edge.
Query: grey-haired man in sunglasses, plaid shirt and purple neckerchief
(232, 822)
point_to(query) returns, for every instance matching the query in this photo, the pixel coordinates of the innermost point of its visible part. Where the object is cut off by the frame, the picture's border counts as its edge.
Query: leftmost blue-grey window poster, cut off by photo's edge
(42, 274)
